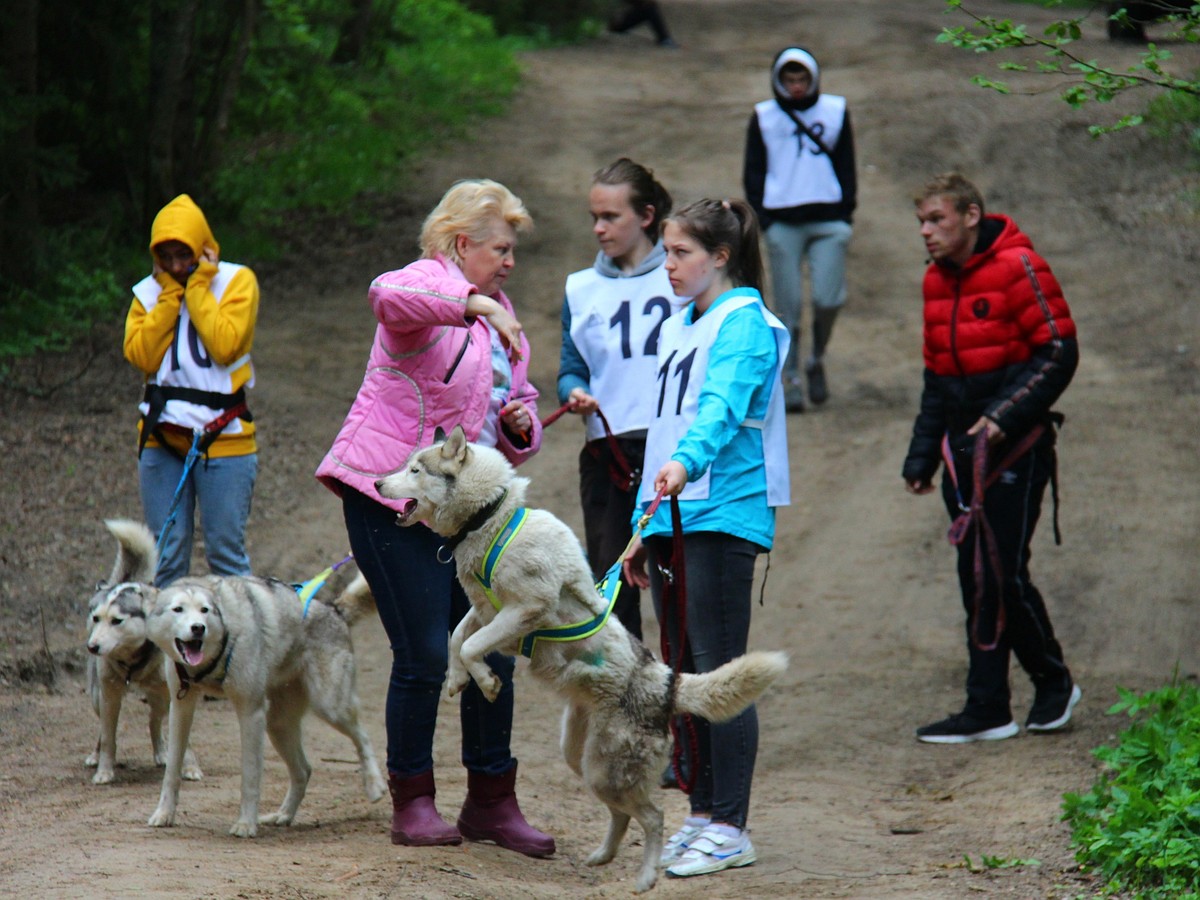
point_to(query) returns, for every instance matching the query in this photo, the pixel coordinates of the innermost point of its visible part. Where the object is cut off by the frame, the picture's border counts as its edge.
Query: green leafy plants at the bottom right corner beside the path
(1141, 824)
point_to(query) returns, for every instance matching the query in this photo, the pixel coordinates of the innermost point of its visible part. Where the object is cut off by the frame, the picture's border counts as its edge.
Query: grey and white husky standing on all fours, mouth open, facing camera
(254, 641)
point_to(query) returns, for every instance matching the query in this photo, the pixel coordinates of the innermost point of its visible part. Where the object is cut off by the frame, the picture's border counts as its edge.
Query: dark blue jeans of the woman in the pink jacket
(421, 602)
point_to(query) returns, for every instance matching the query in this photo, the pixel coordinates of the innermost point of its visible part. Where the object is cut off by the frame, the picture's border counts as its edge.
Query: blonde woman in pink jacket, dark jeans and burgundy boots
(448, 351)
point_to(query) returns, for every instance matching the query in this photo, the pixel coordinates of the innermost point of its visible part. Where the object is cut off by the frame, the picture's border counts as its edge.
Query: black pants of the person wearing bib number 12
(608, 517)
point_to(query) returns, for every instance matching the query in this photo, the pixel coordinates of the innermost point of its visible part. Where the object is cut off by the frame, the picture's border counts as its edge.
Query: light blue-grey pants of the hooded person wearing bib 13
(824, 245)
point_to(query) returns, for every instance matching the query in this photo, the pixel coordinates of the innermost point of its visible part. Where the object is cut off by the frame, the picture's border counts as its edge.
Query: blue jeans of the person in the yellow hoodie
(223, 487)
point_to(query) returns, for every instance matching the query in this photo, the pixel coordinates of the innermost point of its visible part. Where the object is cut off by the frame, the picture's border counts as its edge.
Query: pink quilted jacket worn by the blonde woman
(429, 368)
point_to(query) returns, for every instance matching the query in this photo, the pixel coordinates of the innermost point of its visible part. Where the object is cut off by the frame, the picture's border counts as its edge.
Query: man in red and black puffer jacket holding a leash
(999, 350)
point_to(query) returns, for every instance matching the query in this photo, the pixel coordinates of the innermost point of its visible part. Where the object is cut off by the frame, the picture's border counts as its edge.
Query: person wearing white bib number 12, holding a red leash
(613, 314)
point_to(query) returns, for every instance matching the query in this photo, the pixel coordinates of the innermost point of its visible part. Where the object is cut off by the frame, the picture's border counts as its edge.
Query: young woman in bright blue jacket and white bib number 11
(719, 443)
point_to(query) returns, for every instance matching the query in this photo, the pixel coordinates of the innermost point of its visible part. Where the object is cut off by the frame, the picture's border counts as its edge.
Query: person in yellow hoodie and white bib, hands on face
(190, 331)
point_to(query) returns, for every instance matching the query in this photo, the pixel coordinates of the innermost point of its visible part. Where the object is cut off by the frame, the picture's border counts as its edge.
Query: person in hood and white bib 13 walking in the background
(800, 177)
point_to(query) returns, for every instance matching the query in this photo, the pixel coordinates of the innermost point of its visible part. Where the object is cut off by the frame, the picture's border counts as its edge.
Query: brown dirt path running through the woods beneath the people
(861, 592)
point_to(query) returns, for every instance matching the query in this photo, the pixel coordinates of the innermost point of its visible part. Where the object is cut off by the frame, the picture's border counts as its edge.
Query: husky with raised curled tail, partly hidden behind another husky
(122, 656)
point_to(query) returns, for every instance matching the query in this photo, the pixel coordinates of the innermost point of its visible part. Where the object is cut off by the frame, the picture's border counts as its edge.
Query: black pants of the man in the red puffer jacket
(1012, 507)
